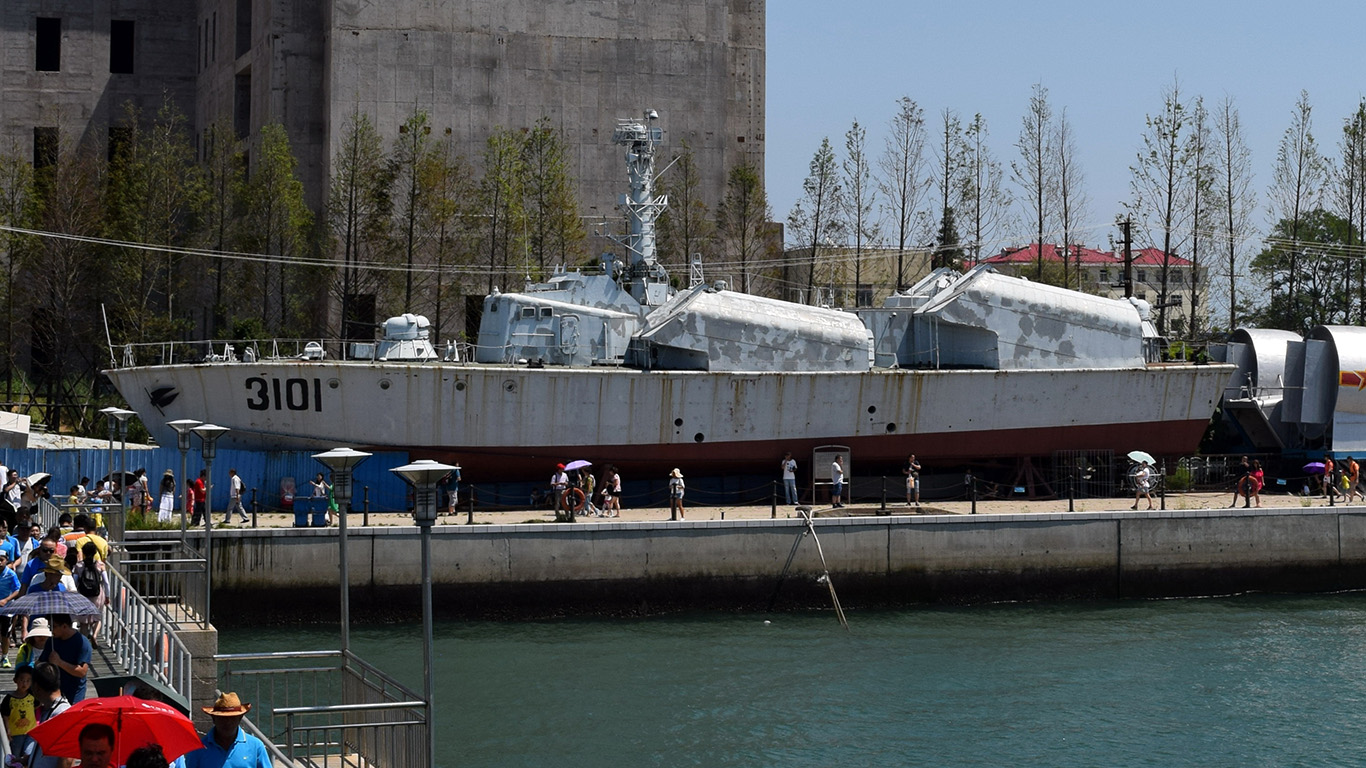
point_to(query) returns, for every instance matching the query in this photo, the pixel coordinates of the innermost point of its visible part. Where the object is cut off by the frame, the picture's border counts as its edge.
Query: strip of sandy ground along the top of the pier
(1195, 501)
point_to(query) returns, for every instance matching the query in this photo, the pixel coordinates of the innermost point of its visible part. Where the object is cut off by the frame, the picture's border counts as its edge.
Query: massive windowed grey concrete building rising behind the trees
(472, 65)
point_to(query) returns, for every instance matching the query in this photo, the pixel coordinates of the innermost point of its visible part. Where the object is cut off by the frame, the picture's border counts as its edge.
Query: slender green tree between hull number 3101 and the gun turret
(359, 217)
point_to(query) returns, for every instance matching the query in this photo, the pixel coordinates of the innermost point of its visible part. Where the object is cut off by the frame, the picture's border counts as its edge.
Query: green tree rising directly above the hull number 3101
(277, 225)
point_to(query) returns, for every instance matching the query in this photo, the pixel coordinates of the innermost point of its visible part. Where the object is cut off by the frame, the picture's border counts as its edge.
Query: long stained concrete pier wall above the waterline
(647, 566)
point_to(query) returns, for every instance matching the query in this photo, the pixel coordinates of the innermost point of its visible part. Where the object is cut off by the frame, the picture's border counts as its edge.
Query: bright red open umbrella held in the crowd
(136, 724)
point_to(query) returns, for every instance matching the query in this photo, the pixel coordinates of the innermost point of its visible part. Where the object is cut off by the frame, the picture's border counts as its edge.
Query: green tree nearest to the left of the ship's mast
(555, 230)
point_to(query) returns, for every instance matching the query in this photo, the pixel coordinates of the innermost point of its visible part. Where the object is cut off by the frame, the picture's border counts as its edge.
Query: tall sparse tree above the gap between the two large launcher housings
(902, 178)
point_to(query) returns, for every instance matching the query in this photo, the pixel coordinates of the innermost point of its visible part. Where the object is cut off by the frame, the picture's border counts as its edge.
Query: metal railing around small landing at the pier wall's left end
(169, 573)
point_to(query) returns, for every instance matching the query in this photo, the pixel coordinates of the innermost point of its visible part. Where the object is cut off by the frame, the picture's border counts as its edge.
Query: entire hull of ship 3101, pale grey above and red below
(512, 423)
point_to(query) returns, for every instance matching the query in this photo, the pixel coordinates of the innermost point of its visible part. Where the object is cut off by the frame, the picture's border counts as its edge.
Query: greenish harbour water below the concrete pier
(1241, 681)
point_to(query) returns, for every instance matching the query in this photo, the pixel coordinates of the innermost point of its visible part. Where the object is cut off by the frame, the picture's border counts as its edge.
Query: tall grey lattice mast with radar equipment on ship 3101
(644, 278)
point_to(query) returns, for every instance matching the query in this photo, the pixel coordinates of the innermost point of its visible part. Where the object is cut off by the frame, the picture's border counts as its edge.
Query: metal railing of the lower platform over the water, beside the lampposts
(330, 709)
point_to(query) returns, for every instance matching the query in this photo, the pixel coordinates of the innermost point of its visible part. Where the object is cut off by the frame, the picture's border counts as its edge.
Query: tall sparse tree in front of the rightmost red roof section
(1160, 185)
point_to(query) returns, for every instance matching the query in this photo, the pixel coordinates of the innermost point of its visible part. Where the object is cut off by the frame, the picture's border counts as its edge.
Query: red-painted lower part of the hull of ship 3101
(880, 453)
